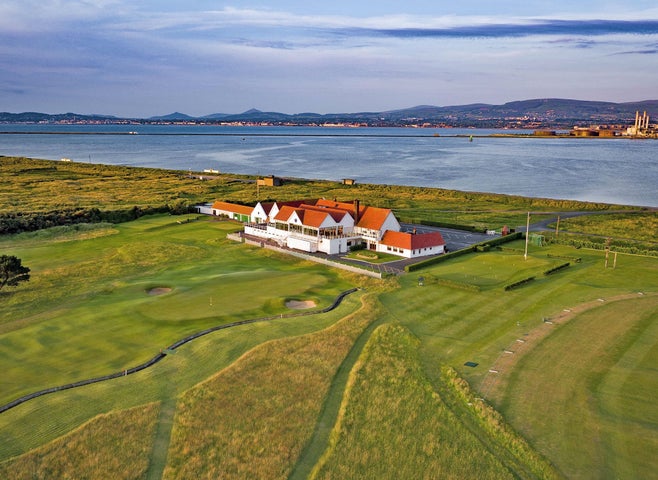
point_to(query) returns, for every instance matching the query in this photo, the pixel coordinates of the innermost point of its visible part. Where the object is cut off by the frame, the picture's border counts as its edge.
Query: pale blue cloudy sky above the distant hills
(152, 57)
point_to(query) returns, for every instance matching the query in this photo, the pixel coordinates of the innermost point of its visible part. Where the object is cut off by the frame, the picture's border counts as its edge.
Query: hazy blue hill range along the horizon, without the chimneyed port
(534, 113)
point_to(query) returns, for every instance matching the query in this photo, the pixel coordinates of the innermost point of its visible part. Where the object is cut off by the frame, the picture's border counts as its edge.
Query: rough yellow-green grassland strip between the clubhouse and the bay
(32, 185)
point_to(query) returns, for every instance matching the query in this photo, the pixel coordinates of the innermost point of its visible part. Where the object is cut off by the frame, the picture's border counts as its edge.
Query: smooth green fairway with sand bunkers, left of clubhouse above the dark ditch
(87, 310)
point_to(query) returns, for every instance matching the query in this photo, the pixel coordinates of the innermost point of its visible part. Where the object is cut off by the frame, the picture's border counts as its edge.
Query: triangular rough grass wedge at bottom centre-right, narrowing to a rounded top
(394, 425)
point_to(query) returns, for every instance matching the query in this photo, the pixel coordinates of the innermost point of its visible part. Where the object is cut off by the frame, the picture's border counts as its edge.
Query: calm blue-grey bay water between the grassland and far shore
(619, 170)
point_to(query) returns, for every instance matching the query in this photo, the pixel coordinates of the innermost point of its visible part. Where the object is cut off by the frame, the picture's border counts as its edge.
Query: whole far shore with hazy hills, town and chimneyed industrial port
(577, 117)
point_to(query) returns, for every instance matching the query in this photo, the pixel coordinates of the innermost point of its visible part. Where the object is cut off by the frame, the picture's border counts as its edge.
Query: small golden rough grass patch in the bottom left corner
(115, 445)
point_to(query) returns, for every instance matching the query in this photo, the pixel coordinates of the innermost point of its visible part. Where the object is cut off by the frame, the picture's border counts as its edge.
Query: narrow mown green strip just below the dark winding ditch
(39, 421)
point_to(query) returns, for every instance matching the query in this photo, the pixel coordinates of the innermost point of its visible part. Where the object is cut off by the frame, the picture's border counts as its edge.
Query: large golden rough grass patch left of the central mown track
(253, 419)
